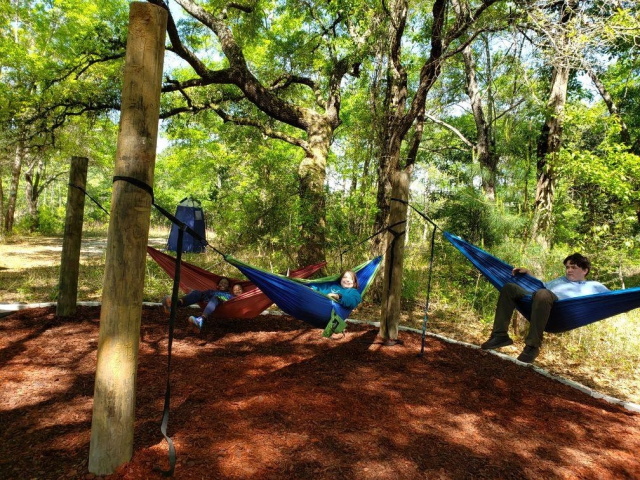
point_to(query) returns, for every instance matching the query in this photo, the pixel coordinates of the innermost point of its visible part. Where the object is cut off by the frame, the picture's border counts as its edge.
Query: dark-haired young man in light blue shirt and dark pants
(573, 284)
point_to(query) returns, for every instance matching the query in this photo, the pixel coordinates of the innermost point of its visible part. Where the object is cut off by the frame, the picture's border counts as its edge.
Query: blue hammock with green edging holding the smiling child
(295, 297)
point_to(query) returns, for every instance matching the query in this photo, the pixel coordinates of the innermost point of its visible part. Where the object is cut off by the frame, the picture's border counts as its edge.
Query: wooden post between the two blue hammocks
(392, 281)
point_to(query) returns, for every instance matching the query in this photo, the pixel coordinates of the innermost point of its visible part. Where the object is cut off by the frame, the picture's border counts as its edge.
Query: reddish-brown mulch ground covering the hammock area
(270, 398)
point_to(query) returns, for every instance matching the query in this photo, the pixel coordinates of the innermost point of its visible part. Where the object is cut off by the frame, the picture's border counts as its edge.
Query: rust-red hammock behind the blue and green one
(248, 305)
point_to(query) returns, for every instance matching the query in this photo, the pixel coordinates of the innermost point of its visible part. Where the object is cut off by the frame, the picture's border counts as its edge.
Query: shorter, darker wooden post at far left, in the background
(70, 259)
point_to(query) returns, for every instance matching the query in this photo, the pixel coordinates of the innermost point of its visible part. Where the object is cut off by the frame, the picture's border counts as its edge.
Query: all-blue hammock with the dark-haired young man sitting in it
(566, 314)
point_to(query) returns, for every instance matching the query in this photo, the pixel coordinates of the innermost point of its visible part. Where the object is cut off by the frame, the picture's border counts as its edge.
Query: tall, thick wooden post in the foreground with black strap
(115, 386)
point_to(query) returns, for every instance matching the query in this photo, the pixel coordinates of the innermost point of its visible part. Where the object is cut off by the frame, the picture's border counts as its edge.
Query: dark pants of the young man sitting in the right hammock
(540, 310)
